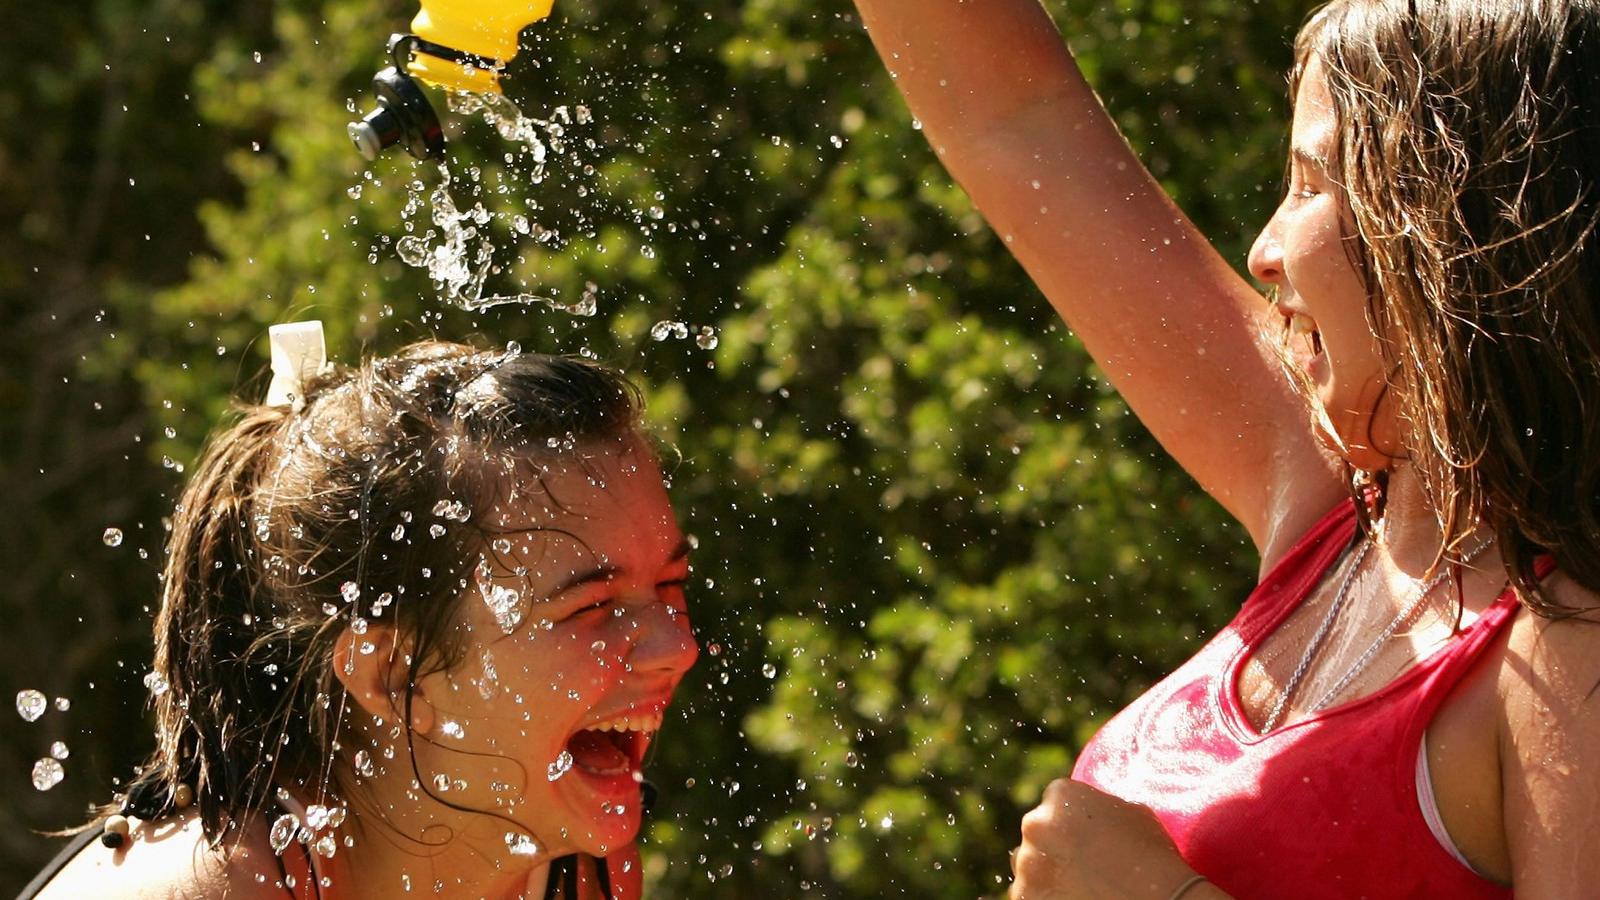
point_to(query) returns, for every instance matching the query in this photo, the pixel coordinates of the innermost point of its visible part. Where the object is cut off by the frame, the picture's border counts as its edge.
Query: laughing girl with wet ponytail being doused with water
(418, 629)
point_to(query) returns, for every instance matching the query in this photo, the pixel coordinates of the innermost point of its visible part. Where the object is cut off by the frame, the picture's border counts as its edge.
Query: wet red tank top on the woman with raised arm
(1326, 808)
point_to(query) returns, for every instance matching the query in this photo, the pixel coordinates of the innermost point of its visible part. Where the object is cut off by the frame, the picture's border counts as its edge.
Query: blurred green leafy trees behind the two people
(935, 550)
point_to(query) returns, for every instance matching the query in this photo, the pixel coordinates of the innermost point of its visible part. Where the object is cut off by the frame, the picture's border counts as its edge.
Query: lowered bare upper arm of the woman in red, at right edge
(1550, 688)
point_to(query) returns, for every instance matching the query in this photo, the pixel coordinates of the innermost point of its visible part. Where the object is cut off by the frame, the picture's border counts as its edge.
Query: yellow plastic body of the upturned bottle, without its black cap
(482, 28)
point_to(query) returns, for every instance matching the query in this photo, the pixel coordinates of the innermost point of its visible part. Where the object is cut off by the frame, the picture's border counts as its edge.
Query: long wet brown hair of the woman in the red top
(1470, 151)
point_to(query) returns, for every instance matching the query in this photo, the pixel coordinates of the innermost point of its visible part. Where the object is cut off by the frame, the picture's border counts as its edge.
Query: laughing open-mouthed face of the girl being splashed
(577, 638)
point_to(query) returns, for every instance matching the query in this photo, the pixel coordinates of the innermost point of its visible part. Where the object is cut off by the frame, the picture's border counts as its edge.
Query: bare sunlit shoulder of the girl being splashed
(172, 861)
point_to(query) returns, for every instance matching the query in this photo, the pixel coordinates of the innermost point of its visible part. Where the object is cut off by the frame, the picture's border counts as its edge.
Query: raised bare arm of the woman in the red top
(1178, 332)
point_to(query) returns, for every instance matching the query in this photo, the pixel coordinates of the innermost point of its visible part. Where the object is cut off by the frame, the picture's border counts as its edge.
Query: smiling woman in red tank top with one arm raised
(1409, 430)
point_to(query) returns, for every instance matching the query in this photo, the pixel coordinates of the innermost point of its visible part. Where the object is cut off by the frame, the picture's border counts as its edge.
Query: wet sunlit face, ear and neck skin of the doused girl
(601, 637)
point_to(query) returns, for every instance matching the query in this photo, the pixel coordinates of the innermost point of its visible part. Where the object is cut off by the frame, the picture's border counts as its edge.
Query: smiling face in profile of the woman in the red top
(1305, 255)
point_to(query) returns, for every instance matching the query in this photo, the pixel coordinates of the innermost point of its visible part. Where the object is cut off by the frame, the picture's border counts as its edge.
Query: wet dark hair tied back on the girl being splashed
(356, 505)
